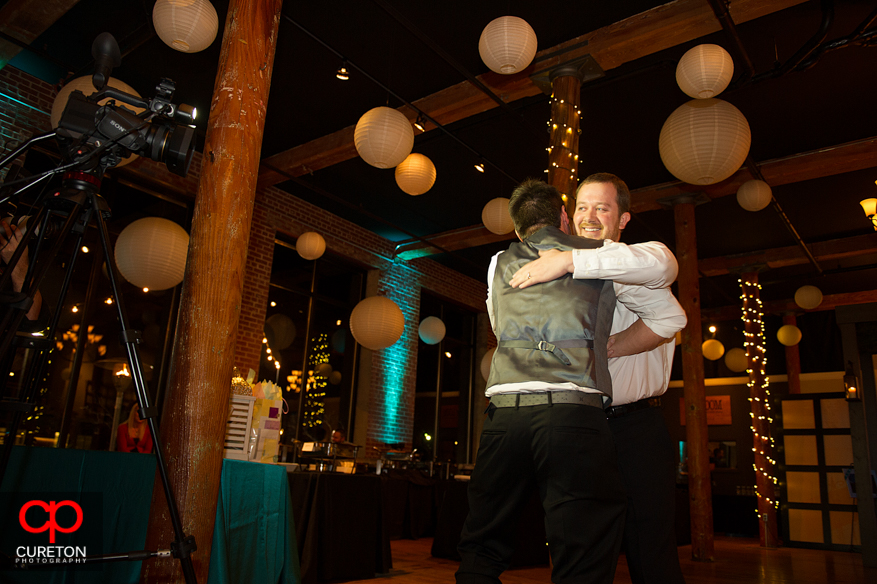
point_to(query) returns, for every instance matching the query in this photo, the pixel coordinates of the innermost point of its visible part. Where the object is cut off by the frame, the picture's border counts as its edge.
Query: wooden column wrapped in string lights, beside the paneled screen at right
(761, 417)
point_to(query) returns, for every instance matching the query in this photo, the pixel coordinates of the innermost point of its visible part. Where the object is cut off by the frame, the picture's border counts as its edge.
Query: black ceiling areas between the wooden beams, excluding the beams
(394, 42)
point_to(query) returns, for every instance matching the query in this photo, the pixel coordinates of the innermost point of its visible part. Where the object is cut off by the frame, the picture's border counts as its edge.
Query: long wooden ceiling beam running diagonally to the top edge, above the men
(611, 46)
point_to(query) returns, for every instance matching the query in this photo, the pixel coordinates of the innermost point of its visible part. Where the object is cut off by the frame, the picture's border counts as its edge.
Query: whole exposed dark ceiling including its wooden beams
(814, 132)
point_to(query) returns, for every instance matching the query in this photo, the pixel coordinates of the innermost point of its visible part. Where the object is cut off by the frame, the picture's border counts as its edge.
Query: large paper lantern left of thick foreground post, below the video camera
(151, 253)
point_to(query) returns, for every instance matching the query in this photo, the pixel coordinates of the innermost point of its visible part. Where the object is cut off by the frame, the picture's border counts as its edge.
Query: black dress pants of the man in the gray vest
(567, 452)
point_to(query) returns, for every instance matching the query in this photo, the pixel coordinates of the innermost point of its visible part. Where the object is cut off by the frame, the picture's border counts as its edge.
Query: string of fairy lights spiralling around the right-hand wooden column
(754, 344)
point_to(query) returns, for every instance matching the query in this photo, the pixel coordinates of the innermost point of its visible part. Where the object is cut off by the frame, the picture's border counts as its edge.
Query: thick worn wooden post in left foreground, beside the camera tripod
(195, 411)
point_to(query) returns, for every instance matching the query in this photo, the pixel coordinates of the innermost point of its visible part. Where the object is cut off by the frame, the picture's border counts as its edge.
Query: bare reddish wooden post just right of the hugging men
(697, 435)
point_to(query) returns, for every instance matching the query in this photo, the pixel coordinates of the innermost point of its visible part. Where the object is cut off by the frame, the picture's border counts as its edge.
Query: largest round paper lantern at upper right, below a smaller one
(704, 141)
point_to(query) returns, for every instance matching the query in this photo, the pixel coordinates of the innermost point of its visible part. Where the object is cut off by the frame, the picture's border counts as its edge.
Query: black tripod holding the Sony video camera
(80, 205)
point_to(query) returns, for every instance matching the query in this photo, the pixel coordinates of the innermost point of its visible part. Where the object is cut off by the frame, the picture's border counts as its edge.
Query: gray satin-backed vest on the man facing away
(554, 332)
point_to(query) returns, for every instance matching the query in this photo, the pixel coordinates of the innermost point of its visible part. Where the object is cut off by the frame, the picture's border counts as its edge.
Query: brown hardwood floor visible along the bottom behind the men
(738, 560)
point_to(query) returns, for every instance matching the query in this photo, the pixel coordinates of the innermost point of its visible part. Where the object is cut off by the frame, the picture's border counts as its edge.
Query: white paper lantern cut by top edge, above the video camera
(188, 26)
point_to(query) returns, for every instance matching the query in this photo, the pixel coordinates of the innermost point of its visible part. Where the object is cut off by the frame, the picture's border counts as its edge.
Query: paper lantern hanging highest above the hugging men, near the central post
(507, 45)
